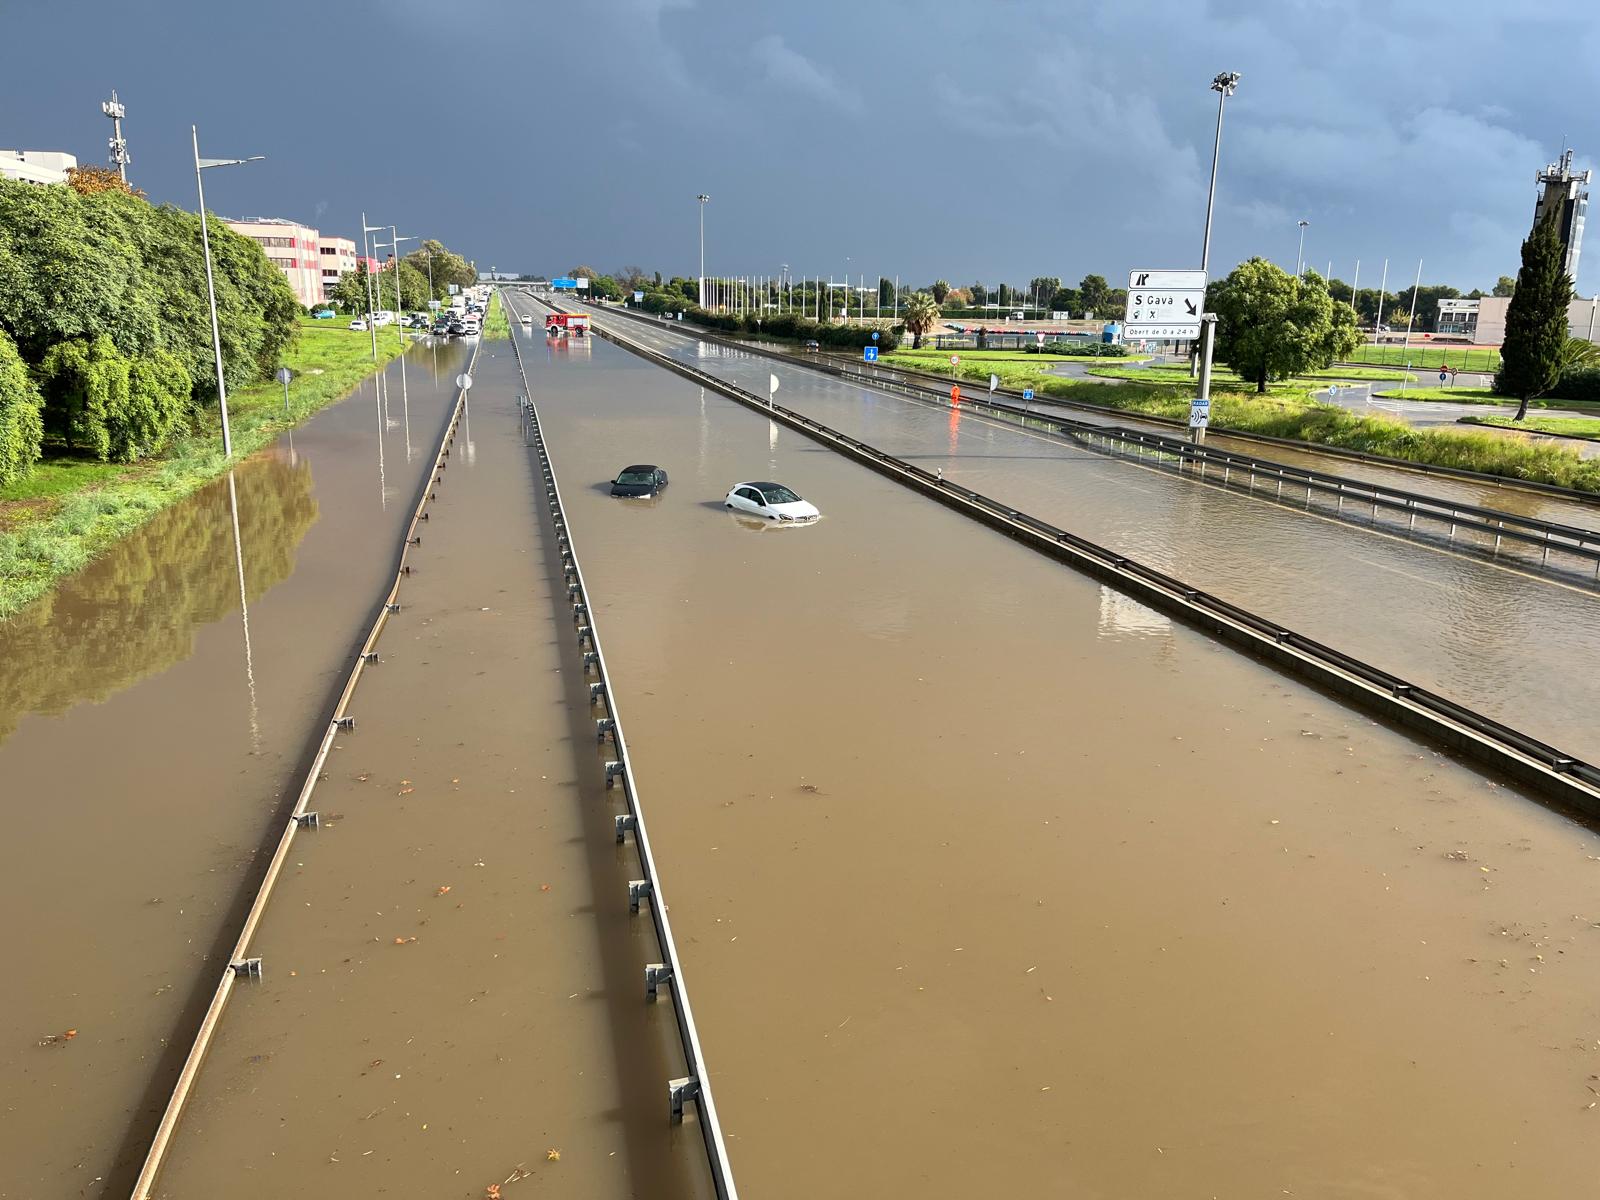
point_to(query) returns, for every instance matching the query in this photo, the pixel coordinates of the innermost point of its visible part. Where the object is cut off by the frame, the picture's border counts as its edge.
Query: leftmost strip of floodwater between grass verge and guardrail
(150, 727)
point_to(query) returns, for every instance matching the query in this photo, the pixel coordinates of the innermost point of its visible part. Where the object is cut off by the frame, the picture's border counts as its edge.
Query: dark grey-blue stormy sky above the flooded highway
(990, 140)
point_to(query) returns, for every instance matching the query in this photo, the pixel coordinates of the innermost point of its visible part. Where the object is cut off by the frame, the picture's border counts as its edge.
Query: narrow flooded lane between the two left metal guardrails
(452, 991)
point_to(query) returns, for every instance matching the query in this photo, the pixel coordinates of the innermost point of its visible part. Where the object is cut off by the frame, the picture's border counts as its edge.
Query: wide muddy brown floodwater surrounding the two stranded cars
(993, 882)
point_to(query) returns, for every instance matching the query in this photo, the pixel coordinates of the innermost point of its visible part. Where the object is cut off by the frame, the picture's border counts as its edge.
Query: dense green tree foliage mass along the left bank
(105, 298)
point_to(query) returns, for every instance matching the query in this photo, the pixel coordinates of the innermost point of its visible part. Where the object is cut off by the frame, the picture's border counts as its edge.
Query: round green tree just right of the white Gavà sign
(1273, 326)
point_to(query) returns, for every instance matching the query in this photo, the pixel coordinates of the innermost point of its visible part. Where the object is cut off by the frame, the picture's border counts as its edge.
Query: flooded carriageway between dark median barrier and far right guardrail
(1497, 639)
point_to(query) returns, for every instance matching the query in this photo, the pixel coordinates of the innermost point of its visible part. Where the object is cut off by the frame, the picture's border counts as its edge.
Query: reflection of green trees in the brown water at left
(134, 612)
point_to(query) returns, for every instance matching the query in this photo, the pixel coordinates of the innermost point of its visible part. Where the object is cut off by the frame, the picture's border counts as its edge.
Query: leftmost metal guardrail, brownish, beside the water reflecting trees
(302, 817)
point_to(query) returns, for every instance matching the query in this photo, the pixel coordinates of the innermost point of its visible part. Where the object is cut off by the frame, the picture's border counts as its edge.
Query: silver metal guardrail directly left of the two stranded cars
(646, 892)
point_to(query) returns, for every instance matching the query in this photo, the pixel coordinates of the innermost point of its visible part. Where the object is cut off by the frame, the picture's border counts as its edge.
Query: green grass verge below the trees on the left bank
(68, 511)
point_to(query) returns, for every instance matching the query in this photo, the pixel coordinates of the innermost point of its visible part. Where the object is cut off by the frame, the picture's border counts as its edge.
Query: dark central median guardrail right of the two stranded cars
(1545, 769)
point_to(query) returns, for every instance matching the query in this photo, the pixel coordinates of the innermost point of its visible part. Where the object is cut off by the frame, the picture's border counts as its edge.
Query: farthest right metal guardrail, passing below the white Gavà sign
(1546, 537)
